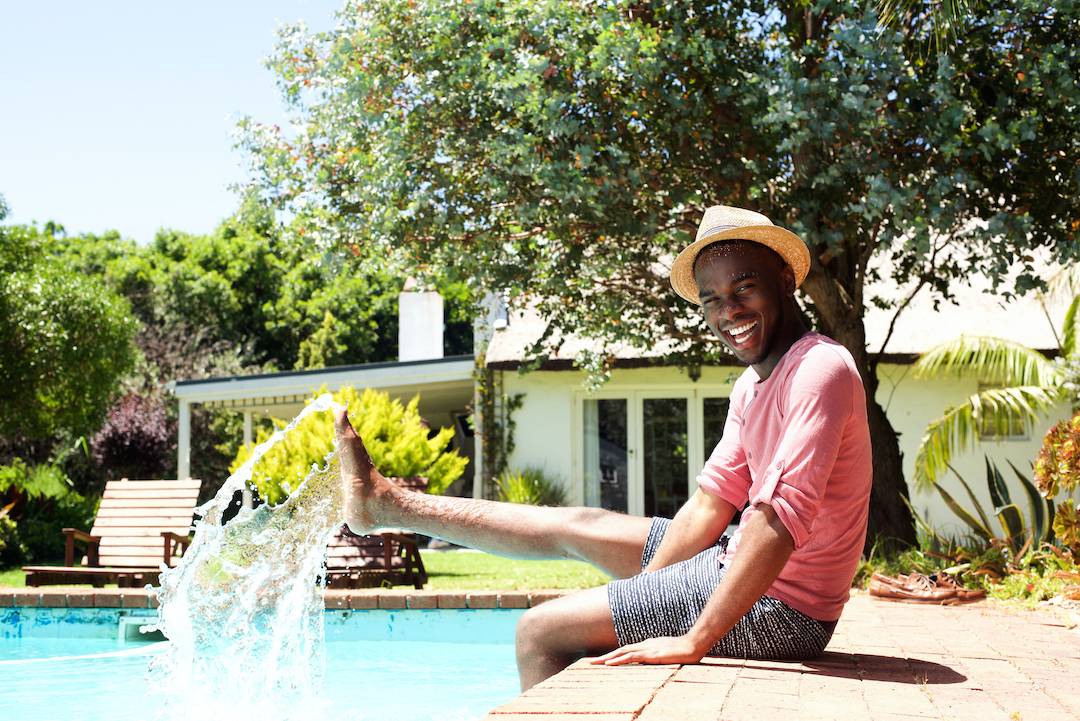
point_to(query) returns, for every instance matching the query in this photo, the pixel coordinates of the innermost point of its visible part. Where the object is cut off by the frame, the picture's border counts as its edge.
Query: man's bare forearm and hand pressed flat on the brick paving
(764, 549)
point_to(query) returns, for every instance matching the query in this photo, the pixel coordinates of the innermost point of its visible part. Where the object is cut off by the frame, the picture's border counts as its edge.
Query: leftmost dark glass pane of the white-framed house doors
(606, 458)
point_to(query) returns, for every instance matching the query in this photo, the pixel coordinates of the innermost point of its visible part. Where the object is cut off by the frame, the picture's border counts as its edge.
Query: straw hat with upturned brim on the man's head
(724, 223)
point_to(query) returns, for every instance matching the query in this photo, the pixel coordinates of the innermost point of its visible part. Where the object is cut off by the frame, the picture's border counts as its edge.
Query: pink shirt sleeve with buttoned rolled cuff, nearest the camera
(818, 406)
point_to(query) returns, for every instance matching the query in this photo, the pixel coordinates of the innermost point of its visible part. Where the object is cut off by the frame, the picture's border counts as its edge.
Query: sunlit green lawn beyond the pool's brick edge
(466, 570)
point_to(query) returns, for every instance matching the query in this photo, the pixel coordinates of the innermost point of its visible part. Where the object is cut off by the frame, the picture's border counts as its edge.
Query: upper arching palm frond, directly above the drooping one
(993, 360)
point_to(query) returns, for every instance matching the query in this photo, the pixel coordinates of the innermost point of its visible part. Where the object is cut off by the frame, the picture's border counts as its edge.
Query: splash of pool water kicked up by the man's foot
(242, 610)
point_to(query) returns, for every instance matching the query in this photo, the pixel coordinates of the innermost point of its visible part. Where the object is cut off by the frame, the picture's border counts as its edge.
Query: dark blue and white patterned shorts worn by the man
(668, 603)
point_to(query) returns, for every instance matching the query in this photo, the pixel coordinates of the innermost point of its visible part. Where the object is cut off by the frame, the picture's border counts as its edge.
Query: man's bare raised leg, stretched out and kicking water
(613, 542)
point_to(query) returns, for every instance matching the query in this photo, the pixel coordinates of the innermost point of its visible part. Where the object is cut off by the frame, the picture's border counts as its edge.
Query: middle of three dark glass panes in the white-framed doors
(665, 428)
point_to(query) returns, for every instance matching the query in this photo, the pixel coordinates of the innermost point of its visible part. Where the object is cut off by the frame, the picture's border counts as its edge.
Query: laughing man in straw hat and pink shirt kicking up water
(795, 453)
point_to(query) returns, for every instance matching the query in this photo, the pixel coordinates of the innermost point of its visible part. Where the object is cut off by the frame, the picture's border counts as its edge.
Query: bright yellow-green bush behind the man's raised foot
(395, 434)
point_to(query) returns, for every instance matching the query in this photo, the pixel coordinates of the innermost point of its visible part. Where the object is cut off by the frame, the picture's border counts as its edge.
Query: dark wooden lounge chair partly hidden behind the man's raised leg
(387, 557)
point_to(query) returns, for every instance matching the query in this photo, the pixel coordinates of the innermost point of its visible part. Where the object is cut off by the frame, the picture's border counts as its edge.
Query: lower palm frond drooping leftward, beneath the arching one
(960, 428)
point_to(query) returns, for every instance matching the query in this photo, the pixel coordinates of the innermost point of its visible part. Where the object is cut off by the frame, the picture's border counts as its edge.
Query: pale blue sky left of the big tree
(119, 115)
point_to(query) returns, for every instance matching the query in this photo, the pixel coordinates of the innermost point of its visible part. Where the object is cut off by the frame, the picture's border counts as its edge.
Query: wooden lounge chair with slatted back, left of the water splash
(140, 525)
